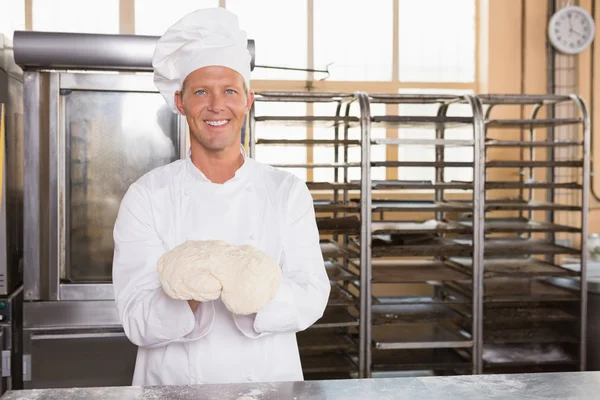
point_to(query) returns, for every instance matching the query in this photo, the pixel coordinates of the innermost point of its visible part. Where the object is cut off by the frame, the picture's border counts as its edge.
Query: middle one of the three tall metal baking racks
(412, 324)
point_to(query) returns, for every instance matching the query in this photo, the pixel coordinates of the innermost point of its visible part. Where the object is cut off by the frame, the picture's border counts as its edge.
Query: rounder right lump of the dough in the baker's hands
(250, 278)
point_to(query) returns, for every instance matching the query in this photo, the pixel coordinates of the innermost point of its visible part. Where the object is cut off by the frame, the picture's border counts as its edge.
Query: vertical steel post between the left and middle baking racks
(365, 236)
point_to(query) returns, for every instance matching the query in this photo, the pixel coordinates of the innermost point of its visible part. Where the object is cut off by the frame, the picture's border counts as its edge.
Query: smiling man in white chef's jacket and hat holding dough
(202, 68)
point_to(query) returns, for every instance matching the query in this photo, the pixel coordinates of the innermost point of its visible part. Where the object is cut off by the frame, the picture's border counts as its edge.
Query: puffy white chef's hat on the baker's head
(202, 38)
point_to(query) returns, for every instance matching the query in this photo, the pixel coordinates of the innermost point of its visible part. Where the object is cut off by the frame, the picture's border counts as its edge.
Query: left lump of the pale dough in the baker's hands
(185, 272)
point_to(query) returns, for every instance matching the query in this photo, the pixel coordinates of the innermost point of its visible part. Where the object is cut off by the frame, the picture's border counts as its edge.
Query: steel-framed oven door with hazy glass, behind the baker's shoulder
(115, 128)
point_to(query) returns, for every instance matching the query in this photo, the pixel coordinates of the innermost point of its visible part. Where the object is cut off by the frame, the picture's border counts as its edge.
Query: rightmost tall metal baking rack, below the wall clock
(527, 322)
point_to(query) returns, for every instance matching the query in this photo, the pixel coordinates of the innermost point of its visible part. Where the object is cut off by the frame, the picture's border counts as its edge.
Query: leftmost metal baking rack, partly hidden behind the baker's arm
(331, 347)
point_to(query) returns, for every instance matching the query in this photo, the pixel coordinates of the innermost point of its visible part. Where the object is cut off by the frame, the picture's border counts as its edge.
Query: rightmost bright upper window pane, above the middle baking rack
(436, 46)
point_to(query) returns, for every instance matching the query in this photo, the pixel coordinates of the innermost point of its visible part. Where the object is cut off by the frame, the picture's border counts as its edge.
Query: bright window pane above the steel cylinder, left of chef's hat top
(153, 18)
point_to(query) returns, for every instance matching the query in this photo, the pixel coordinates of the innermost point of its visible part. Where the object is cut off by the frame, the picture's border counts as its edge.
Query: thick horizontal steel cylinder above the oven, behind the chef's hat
(34, 49)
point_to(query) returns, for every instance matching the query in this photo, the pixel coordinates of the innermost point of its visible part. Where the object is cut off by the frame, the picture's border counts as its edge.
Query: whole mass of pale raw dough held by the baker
(245, 277)
